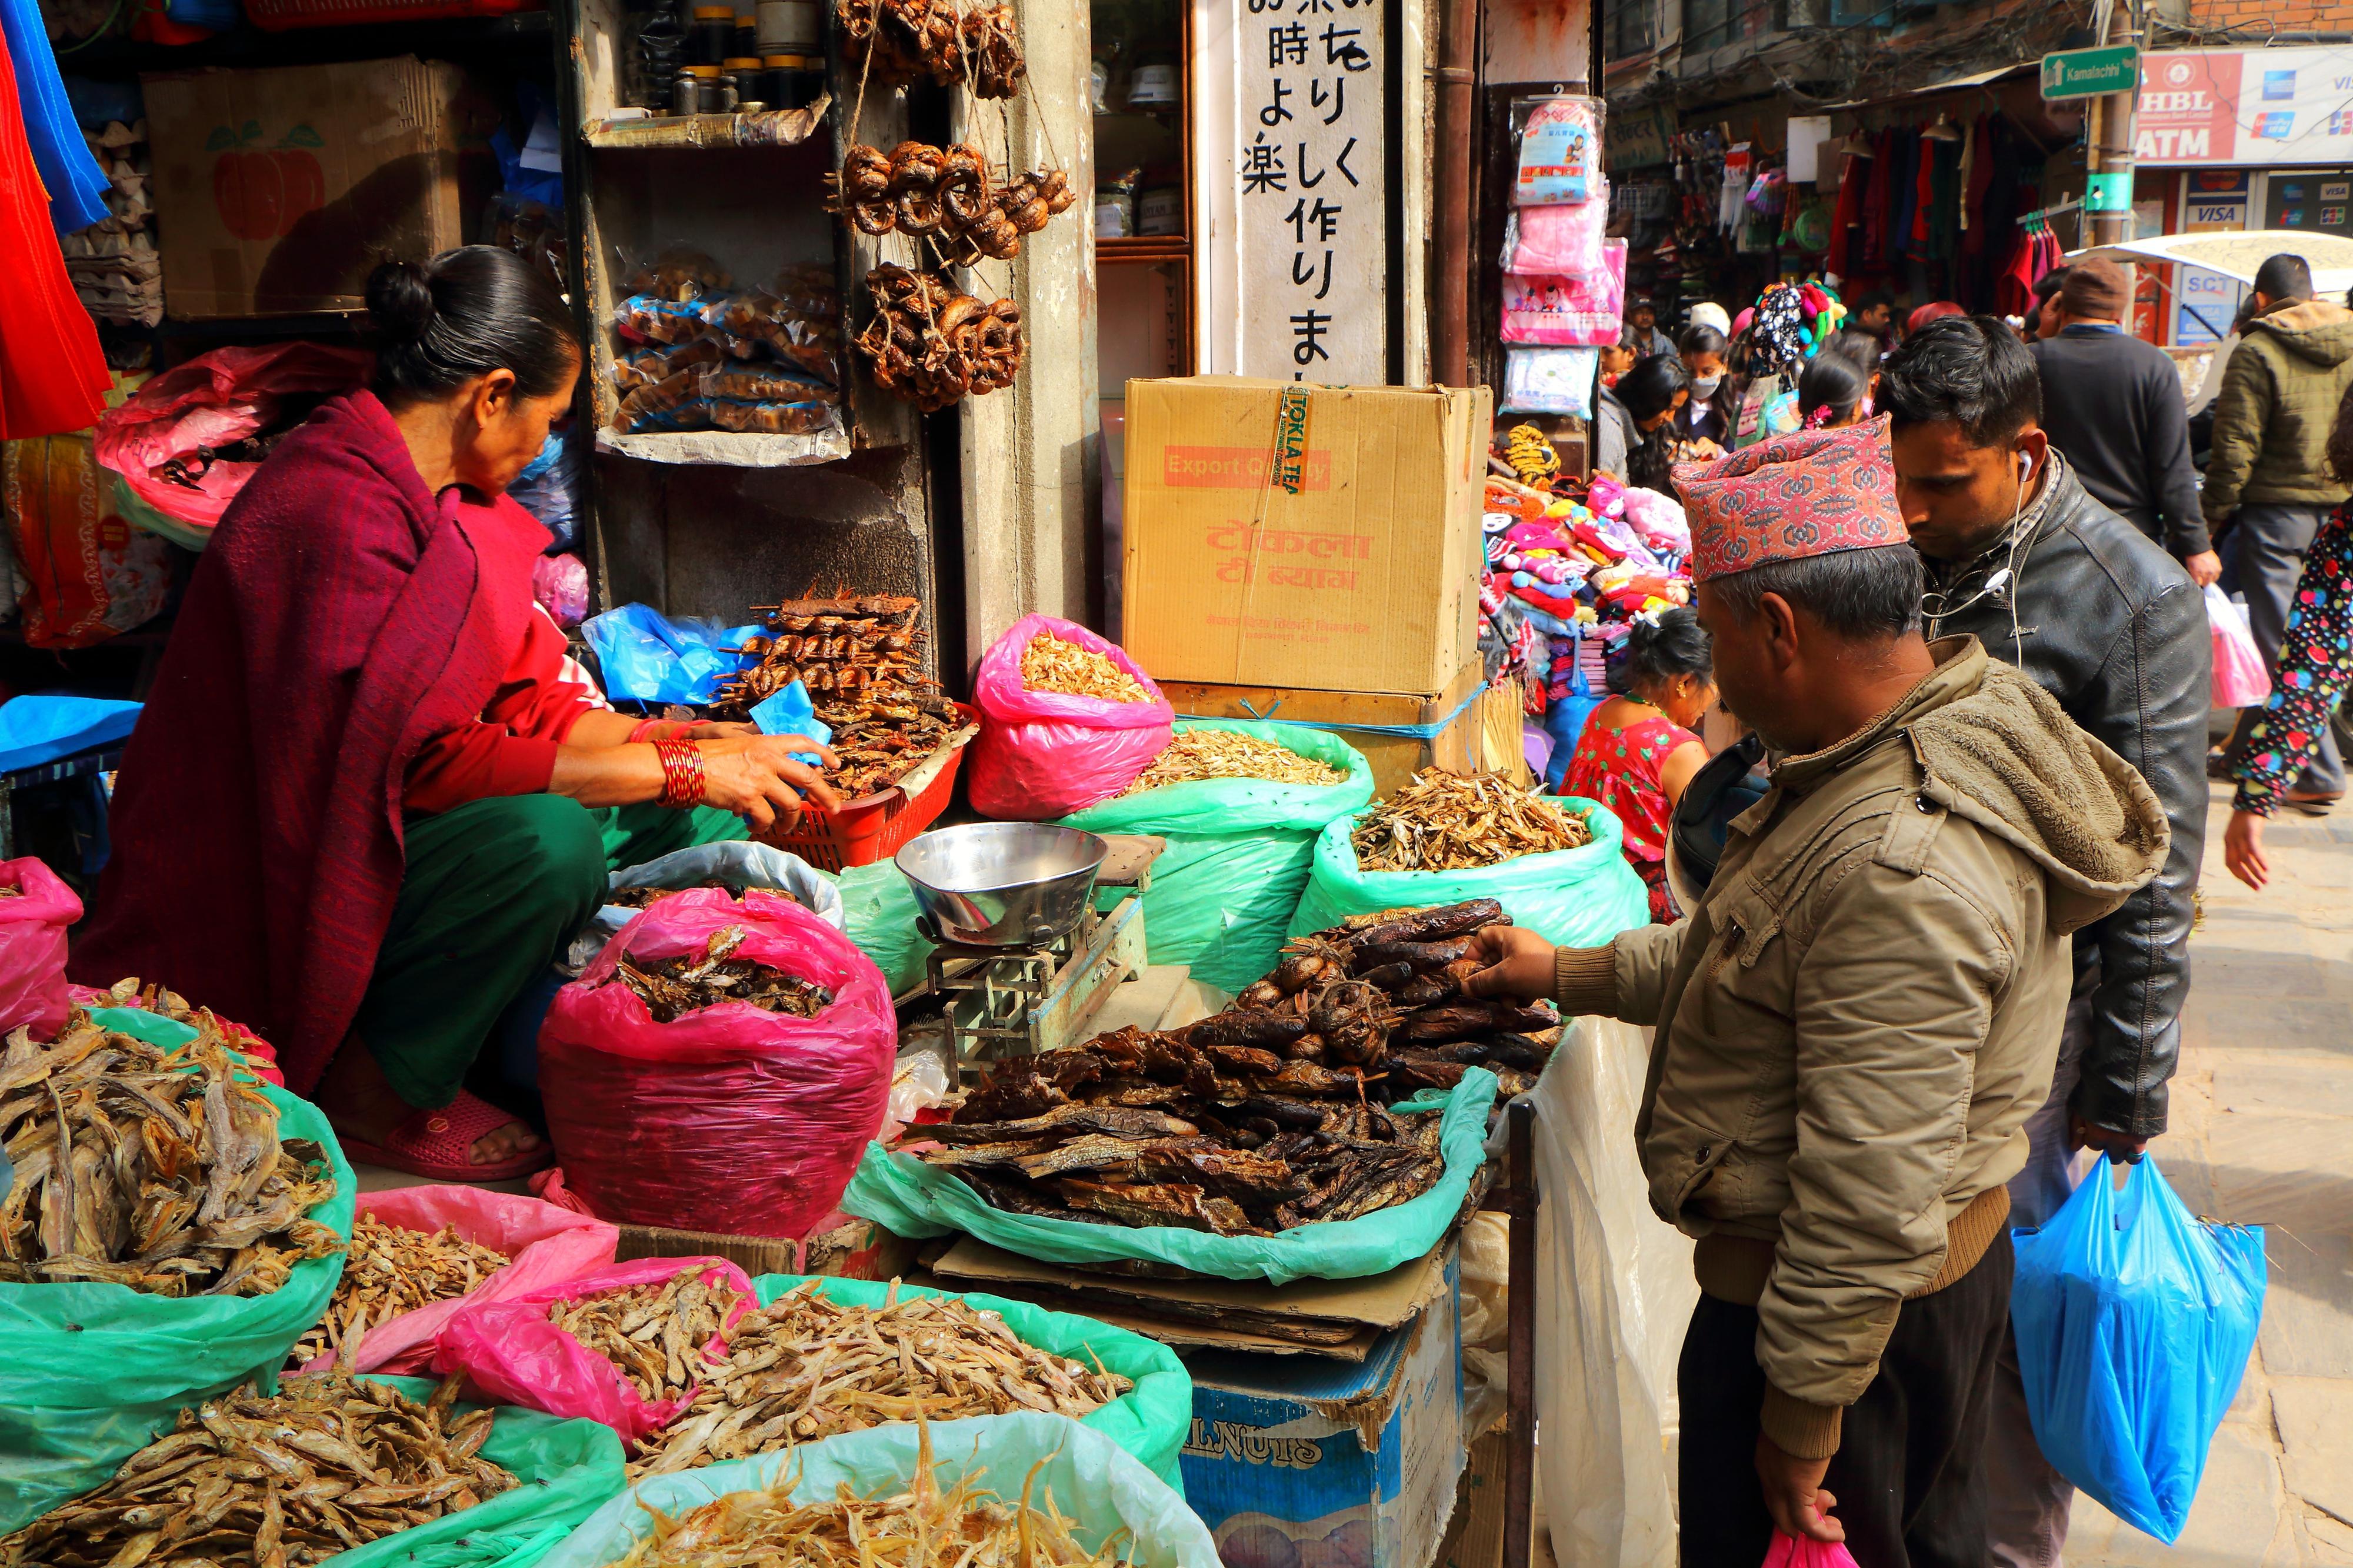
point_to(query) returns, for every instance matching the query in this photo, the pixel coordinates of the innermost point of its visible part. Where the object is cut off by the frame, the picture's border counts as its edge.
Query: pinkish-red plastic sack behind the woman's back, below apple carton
(215, 401)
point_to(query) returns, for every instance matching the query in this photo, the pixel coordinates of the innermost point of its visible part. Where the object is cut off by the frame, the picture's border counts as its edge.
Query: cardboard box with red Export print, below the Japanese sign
(1305, 536)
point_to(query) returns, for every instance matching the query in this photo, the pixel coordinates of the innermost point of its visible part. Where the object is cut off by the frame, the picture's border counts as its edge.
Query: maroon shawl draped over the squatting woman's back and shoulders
(340, 618)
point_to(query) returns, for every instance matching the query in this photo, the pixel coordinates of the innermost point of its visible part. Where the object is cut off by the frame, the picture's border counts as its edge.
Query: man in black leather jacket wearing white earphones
(2105, 620)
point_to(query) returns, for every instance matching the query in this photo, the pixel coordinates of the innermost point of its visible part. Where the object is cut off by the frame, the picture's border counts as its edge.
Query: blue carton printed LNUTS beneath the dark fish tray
(1312, 1463)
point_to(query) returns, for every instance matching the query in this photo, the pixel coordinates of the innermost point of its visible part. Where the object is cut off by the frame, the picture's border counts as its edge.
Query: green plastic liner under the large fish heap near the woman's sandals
(91, 1374)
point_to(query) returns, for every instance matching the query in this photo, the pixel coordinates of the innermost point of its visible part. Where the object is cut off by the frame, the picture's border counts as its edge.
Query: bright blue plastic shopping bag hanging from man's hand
(2135, 1324)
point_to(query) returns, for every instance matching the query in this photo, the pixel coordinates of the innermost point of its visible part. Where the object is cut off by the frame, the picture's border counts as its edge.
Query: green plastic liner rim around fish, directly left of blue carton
(1149, 1421)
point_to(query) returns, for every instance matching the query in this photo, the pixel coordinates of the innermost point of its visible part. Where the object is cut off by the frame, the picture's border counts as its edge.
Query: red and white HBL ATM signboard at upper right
(2246, 107)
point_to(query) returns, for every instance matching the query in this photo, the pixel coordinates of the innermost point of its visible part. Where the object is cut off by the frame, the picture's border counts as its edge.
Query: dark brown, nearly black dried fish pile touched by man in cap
(1267, 1115)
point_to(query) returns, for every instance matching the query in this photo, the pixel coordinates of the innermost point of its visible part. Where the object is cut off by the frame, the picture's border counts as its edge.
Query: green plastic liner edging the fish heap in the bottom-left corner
(568, 1473)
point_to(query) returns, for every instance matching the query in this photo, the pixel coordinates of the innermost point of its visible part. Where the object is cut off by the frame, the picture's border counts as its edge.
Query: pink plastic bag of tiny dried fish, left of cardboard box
(1046, 755)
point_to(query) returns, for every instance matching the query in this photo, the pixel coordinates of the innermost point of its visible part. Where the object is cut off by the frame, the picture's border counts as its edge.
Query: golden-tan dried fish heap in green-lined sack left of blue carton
(806, 1369)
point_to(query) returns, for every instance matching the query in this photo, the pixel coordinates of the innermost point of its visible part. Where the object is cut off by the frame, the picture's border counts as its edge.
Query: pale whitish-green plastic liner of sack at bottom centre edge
(1098, 1487)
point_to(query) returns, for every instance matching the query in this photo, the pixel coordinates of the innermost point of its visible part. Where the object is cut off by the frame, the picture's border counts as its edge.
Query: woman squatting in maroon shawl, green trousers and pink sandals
(364, 811)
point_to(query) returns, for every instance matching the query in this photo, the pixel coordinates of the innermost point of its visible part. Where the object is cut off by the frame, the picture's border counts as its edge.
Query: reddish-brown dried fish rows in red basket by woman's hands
(862, 665)
